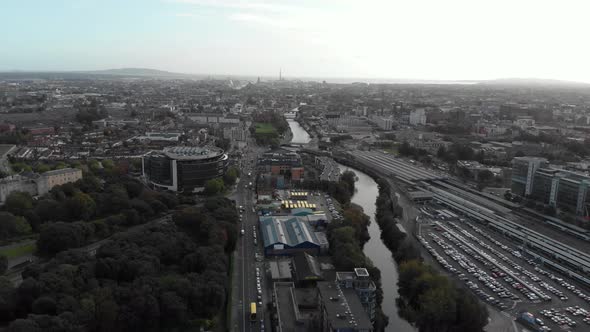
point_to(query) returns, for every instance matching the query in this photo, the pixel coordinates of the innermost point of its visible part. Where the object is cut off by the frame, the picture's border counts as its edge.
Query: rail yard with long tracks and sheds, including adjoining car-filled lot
(512, 259)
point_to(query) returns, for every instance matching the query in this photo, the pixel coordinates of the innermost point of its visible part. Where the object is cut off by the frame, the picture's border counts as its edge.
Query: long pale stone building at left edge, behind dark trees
(37, 184)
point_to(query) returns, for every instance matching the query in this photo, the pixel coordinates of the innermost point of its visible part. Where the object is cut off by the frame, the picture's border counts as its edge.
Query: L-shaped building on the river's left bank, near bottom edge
(364, 287)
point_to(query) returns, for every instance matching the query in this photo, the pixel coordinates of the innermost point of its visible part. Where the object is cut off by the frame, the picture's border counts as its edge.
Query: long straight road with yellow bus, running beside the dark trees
(244, 290)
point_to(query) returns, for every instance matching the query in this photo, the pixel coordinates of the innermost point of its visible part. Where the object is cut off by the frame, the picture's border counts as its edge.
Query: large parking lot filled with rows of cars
(501, 275)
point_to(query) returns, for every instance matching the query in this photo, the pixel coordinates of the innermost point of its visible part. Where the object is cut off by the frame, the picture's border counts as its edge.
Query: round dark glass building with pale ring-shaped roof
(183, 169)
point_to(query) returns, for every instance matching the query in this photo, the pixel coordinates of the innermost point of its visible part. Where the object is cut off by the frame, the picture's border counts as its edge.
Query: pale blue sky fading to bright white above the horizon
(409, 39)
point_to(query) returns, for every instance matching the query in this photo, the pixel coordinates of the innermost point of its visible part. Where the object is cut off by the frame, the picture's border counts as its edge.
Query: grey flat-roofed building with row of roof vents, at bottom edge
(341, 309)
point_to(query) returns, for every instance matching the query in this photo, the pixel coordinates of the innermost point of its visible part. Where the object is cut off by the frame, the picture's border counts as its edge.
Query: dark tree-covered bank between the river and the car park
(420, 285)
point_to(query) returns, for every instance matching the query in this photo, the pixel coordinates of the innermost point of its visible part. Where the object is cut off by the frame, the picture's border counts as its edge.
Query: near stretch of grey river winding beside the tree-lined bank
(366, 196)
